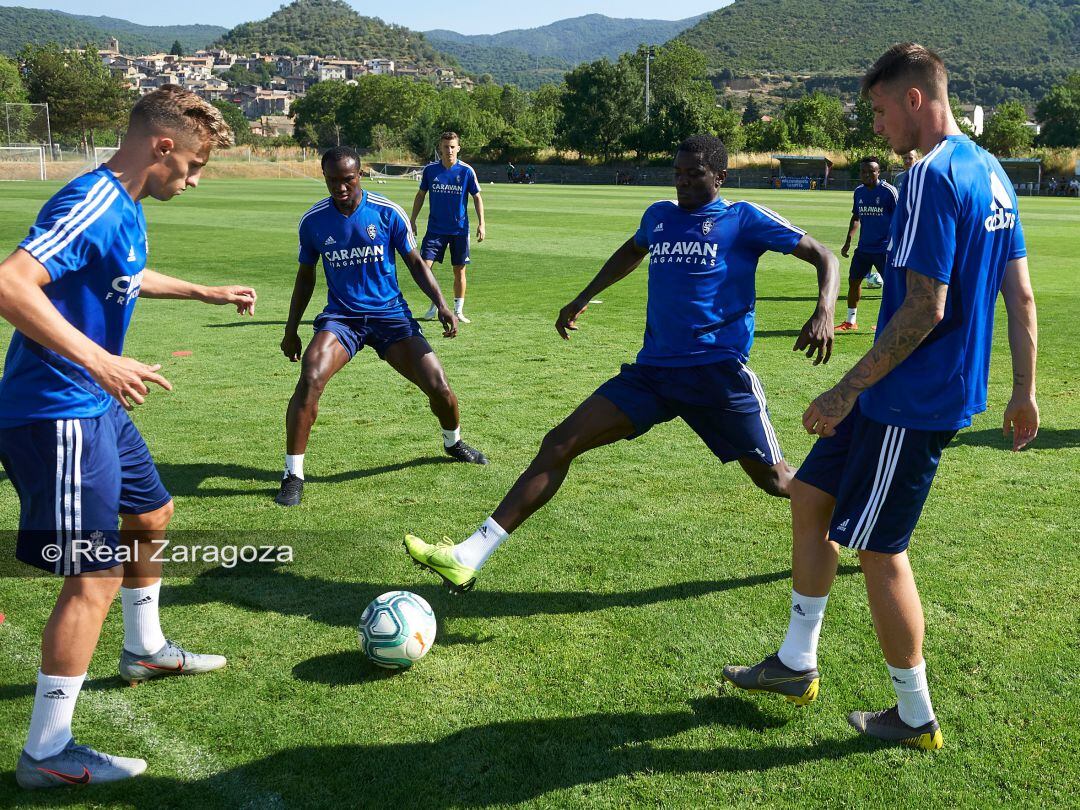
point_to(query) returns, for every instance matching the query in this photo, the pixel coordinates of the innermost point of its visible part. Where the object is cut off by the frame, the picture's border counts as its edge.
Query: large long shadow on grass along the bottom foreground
(504, 763)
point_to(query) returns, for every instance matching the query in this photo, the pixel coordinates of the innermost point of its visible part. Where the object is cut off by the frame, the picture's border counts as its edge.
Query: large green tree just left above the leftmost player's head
(82, 93)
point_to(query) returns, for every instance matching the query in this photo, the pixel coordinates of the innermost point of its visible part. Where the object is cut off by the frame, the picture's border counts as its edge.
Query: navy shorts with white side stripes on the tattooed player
(881, 477)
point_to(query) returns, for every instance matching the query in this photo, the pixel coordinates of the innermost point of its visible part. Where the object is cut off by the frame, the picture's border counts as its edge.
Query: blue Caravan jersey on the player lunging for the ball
(703, 265)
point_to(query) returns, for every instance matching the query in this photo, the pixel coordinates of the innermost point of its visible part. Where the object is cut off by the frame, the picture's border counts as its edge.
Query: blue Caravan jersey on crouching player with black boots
(358, 254)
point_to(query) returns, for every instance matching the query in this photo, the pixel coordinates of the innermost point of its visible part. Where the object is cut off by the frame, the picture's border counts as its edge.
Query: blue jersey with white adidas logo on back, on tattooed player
(958, 223)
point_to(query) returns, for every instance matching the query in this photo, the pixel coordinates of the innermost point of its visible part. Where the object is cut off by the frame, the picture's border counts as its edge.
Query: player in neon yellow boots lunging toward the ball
(704, 253)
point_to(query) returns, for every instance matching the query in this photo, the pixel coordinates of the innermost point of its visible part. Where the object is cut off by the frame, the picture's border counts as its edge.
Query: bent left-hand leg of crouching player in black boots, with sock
(325, 358)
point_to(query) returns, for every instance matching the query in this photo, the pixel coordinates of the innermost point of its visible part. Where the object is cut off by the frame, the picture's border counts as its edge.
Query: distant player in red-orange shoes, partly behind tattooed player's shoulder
(872, 211)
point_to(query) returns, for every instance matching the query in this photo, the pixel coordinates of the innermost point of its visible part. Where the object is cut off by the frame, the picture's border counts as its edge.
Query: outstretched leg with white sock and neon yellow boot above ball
(597, 423)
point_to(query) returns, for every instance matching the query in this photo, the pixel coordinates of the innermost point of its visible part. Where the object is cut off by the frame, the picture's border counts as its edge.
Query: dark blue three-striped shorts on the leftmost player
(74, 478)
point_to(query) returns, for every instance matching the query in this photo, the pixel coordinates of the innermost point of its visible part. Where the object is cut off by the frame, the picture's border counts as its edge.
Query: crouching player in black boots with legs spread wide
(356, 235)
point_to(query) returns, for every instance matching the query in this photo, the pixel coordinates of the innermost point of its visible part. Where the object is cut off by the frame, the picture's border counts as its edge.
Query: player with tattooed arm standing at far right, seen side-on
(956, 244)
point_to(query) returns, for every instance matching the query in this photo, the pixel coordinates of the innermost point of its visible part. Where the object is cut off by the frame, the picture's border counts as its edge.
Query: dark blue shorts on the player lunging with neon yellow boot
(724, 403)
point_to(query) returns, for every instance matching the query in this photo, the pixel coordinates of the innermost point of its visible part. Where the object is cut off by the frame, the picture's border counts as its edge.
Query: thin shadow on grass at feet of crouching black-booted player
(187, 480)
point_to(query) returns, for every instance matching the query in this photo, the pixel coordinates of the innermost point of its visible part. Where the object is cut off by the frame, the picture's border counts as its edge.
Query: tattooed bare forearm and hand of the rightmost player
(923, 309)
